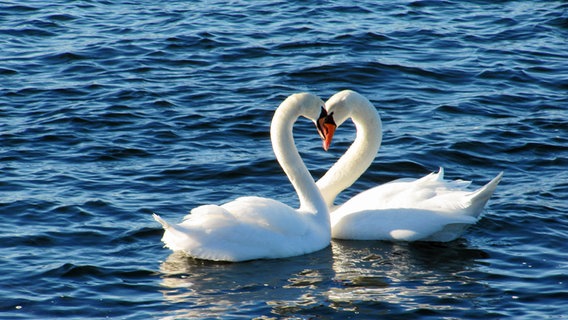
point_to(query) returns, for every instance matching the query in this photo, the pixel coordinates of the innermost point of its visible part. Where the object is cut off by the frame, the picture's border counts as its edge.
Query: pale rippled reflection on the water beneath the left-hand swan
(204, 289)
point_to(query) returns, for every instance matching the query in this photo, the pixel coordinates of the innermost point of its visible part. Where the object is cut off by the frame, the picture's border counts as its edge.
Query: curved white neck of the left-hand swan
(289, 158)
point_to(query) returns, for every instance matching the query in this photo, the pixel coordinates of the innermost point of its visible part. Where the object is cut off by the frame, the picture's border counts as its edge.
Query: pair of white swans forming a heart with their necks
(427, 209)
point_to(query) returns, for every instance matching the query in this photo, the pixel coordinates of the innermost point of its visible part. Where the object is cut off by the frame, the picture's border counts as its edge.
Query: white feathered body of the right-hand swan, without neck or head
(426, 209)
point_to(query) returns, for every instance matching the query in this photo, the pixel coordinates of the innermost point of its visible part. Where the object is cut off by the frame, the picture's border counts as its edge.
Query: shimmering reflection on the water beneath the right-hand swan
(402, 276)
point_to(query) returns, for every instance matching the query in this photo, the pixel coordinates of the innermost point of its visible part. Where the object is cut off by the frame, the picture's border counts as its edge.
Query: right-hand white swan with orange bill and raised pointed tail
(427, 209)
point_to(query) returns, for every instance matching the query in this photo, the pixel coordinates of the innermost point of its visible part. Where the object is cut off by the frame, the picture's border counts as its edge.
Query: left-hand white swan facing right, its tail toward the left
(259, 228)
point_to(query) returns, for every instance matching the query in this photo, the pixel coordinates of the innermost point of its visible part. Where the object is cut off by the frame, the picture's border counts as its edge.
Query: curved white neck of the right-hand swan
(360, 154)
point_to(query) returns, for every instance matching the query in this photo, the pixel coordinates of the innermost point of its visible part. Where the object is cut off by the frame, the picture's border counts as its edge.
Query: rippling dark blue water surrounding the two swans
(112, 110)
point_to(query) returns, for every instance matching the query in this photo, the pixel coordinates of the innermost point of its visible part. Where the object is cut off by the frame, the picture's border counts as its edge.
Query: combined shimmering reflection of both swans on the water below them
(369, 277)
